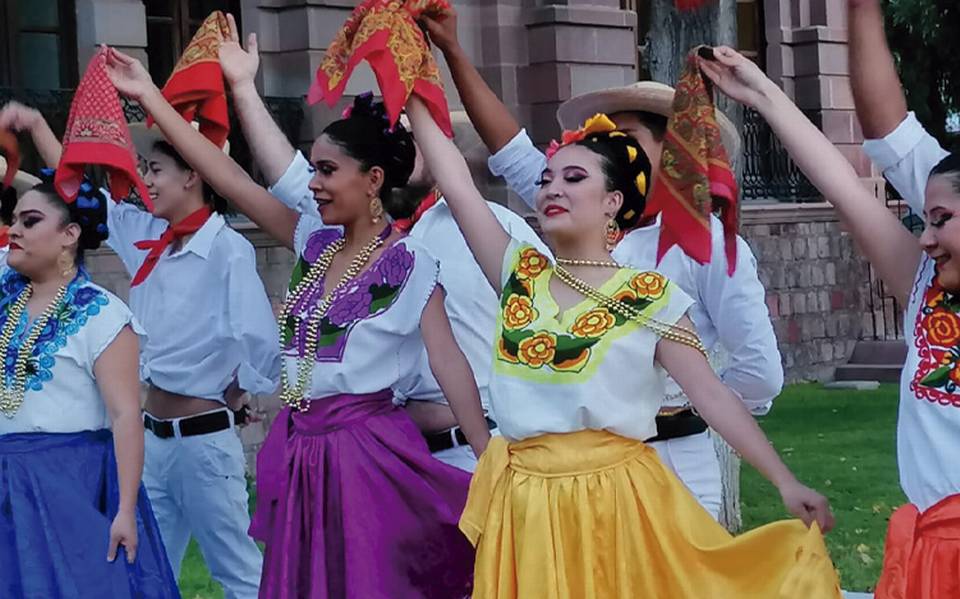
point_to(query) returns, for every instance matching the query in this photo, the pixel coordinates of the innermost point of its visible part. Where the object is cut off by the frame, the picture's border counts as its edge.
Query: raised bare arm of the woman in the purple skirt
(216, 168)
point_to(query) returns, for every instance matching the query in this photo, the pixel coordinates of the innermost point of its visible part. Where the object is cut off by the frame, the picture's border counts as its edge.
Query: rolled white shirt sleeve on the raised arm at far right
(906, 156)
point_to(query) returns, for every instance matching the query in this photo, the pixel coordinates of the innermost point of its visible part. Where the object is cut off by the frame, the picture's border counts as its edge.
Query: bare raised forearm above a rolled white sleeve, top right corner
(879, 99)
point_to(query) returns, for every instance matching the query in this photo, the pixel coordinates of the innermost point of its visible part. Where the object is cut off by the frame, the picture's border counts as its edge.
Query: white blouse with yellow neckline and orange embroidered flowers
(587, 368)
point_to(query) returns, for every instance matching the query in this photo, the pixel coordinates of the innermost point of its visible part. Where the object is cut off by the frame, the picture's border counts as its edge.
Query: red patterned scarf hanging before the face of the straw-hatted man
(695, 178)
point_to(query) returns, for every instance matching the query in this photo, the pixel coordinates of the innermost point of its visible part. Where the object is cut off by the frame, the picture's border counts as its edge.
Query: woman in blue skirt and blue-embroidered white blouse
(71, 439)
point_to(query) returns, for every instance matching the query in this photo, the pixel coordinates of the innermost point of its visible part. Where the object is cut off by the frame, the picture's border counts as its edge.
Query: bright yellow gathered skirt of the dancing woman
(594, 515)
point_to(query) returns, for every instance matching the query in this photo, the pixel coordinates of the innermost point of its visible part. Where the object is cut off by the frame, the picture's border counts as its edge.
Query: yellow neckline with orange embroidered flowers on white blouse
(569, 343)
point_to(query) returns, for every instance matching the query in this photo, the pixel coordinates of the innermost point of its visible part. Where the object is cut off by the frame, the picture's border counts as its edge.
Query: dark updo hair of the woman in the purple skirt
(365, 135)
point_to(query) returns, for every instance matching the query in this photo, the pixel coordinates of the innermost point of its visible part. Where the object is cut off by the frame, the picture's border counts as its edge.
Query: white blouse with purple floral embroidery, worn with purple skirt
(370, 337)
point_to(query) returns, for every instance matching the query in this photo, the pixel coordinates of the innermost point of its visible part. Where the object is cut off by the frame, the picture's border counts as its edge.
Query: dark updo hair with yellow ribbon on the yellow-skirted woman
(623, 161)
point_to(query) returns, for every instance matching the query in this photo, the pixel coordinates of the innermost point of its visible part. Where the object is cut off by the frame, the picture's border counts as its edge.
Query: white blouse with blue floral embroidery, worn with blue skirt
(61, 393)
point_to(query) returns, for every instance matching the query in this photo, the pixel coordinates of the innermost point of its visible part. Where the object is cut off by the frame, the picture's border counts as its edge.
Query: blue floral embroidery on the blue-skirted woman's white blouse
(80, 303)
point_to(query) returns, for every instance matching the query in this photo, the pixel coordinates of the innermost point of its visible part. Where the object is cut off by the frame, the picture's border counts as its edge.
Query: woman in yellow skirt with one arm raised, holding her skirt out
(571, 502)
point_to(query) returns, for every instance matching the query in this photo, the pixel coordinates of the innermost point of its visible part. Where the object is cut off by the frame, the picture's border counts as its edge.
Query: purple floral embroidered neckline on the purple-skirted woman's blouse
(368, 295)
